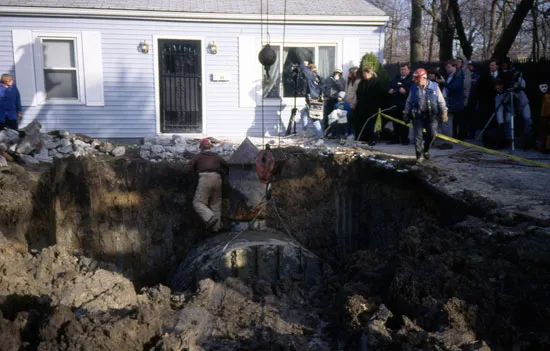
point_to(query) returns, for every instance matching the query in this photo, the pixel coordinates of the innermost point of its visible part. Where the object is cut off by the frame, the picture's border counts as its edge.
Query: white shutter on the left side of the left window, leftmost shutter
(23, 58)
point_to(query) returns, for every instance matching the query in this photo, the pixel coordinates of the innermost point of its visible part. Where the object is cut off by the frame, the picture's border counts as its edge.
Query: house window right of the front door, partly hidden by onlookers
(293, 81)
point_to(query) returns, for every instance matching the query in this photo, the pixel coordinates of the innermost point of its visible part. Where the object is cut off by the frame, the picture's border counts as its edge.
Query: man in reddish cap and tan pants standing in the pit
(208, 195)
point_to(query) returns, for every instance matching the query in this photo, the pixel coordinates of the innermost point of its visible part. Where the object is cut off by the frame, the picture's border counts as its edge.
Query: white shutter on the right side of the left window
(93, 68)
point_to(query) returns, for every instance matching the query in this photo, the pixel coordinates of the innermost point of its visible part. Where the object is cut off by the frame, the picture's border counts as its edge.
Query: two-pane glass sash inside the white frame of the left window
(59, 66)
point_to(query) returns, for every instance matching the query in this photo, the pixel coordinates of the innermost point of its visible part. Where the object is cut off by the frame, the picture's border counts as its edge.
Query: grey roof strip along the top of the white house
(293, 7)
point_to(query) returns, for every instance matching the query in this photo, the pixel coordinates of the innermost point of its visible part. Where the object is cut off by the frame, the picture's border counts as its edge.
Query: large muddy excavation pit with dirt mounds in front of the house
(358, 251)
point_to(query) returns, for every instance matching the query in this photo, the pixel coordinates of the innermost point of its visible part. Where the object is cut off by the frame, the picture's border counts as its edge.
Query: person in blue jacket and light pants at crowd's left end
(314, 98)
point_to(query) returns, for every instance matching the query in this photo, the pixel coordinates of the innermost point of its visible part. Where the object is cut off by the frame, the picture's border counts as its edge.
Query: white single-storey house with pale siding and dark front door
(139, 68)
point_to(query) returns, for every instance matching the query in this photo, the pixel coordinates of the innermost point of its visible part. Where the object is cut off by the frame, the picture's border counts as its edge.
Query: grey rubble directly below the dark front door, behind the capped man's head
(179, 148)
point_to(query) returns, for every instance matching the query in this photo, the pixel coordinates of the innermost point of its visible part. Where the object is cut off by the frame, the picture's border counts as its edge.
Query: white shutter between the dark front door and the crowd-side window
(250, 72)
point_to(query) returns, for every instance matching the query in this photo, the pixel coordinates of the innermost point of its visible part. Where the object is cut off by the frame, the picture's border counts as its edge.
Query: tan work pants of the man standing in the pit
(208, 199)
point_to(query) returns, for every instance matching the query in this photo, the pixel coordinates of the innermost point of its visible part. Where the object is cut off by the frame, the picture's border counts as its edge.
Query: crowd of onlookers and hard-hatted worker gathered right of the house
(462, 104)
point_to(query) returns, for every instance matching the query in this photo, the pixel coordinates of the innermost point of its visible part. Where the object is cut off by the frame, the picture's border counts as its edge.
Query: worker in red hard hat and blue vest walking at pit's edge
(425, 105)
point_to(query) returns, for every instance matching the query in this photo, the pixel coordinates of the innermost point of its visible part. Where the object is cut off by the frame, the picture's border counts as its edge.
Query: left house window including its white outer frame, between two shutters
(59, 68)
